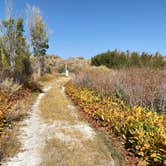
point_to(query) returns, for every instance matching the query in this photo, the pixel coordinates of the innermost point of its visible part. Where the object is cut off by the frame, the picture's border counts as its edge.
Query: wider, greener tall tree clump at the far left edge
(14, 50)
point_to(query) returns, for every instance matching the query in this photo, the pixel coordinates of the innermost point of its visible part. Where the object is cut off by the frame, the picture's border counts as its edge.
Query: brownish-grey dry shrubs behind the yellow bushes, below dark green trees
(135, 86)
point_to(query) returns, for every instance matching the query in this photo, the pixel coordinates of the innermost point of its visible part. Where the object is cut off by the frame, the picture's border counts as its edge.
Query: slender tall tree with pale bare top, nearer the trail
(39, 36)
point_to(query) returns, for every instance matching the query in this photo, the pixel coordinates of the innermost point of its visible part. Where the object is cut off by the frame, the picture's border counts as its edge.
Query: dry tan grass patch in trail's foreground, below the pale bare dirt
(92, 153)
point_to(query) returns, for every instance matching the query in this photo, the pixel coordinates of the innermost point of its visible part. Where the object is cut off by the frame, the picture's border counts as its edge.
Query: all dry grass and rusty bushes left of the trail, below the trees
(15, 102)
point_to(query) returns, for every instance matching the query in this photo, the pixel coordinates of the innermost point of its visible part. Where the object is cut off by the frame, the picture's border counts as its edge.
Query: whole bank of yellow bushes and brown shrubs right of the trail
(122, 101)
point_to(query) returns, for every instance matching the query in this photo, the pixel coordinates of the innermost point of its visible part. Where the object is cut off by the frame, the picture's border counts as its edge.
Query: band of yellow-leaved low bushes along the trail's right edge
(144, 132)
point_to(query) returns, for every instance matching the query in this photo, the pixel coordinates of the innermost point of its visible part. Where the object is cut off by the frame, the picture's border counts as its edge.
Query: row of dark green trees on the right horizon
(115, 59)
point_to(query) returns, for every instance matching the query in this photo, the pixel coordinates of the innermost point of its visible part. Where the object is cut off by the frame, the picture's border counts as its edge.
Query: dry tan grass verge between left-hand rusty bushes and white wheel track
(9, 143)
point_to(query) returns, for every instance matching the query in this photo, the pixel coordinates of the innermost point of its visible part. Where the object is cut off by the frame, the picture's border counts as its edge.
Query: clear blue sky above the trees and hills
(88, 27)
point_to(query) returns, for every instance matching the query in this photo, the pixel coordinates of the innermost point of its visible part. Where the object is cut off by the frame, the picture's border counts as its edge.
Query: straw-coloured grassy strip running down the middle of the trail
(70, 148)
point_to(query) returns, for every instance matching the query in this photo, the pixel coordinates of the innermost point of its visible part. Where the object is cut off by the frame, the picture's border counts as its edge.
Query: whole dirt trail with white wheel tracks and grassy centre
(55, 135)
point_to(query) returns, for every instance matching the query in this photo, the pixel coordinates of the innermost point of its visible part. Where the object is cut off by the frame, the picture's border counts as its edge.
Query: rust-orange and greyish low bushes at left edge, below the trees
(10, 93)
